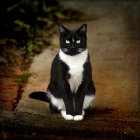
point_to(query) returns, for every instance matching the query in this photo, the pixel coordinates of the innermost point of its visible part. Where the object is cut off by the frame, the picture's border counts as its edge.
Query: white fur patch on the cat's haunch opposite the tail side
(88, 101)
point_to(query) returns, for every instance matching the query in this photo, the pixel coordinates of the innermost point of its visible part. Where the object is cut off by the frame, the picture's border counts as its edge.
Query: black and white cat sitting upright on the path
(71, 90)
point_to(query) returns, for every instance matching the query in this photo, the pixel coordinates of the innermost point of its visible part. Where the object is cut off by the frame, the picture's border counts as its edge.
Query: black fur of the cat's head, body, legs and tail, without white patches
(59, 85)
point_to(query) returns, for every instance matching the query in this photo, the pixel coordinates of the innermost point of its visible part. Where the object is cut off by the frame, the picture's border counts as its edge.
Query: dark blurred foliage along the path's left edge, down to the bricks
(25, 29)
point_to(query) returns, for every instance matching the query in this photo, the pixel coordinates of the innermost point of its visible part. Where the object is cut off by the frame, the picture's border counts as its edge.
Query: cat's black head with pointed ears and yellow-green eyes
(73, 41)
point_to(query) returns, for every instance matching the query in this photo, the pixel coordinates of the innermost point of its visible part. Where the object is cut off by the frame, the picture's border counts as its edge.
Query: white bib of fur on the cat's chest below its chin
(75, 64)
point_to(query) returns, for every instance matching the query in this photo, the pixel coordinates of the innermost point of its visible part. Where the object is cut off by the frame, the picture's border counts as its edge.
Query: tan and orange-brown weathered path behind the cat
(113, 47)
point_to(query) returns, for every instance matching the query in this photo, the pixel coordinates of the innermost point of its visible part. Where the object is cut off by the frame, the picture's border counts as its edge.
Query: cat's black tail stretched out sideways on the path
(40, 96)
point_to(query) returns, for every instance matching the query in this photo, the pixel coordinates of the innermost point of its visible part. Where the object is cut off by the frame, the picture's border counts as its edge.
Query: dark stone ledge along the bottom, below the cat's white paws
(21, 124)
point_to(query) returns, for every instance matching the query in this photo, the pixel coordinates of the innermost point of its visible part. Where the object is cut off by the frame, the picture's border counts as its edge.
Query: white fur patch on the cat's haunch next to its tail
(59, 103)
